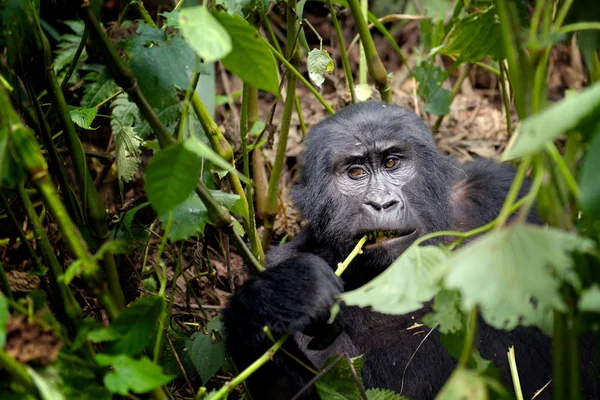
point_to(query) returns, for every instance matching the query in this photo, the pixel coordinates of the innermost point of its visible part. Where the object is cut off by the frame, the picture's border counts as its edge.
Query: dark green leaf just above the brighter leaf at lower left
(136, 326)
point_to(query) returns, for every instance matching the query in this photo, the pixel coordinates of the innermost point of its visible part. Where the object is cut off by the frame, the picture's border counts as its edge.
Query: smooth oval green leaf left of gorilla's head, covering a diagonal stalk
(171, 176)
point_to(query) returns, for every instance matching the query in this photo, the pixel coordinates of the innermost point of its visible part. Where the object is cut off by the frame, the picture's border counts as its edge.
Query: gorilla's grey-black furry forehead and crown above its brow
(366, 124)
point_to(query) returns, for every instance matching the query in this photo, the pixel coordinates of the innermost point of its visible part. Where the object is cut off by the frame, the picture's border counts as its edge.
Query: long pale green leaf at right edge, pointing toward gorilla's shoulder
(536, 131)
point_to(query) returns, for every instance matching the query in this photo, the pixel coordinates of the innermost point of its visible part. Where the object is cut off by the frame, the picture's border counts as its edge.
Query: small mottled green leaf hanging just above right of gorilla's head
(430, 77)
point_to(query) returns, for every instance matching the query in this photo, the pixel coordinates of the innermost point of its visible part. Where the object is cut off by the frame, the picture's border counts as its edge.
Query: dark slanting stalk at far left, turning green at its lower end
(68, 304)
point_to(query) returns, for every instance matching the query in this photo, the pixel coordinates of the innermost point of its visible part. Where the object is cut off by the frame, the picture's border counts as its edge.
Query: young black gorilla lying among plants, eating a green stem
(371, 168)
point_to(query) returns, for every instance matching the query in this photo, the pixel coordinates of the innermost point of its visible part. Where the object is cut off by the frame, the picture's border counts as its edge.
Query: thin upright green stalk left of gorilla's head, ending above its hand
(245, 126)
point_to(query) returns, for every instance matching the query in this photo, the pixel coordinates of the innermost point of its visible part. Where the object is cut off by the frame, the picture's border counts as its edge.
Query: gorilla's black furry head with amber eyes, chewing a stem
(373, 170)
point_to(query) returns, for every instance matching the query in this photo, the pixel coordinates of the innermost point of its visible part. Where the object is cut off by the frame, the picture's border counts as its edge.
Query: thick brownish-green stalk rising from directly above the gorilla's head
(376, 68)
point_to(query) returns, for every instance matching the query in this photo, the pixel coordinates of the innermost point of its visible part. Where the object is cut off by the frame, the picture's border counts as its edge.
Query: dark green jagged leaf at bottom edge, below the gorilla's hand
(338, 383)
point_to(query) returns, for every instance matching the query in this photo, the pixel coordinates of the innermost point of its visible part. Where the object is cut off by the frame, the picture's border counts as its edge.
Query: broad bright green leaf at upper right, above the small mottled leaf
(476, 37)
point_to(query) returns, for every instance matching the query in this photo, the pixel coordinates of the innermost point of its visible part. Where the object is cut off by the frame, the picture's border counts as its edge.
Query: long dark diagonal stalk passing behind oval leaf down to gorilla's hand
(125, 78)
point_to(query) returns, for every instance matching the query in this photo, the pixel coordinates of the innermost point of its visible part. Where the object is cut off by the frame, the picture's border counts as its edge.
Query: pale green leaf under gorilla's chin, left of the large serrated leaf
(405, 286)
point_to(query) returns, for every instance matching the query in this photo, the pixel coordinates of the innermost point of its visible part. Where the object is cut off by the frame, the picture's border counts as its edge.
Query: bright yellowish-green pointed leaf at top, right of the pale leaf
(250, 59)
